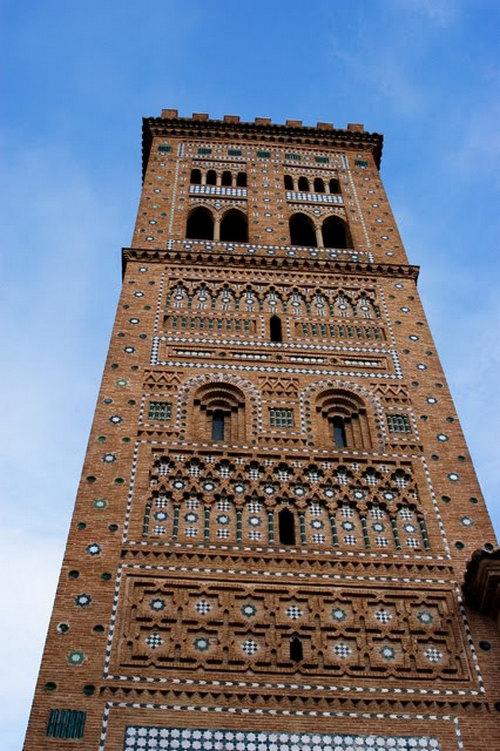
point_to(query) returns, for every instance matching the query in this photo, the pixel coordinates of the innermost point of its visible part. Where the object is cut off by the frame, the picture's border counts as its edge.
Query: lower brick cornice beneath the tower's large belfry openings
(204, 259)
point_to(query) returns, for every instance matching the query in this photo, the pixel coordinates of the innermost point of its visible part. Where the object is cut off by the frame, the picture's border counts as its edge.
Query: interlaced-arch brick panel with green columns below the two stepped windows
(349, 504)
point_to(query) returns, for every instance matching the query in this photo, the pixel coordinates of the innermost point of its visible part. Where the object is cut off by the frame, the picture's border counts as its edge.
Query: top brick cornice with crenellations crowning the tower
(322, 136)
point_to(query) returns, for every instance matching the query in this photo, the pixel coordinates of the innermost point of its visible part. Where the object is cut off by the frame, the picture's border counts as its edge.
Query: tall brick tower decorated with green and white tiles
(277, 506)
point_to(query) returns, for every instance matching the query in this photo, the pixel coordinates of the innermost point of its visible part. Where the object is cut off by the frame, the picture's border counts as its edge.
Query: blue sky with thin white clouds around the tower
(78, 77)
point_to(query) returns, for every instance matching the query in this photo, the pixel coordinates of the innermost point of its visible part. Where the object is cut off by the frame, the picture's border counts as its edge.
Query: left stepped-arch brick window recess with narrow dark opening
(218, 413)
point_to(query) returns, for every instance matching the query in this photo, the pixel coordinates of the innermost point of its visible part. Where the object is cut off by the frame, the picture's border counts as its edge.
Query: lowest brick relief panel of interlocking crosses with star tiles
(374, 631)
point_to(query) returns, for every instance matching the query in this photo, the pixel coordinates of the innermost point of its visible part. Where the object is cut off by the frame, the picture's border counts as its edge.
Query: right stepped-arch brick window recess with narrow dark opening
(343, 420)
